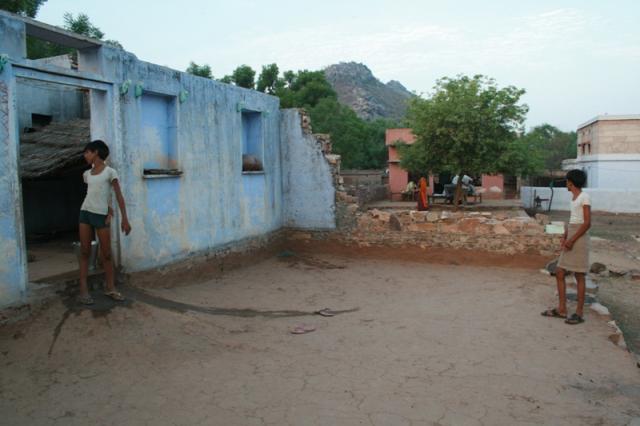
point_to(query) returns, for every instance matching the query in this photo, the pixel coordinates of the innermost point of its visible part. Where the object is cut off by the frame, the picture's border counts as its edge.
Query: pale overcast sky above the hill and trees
(576, 59)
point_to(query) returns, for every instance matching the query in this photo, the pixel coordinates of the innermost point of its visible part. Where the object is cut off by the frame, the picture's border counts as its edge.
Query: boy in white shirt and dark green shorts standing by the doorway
(96, 214)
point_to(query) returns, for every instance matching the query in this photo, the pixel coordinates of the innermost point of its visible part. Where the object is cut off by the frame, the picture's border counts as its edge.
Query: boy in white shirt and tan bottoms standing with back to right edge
(575, 249)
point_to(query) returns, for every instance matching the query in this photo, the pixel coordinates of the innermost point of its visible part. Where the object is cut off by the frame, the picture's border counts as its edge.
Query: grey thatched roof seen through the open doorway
(53, 149)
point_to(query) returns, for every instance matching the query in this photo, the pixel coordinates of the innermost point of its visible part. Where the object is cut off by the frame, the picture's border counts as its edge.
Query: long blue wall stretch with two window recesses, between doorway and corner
(213, 203)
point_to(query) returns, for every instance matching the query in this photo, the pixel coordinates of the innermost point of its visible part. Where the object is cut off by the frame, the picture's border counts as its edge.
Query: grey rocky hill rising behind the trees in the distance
(370, 98)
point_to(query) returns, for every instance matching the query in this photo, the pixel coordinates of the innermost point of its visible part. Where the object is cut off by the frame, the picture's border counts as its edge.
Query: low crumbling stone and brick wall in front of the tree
(487, 231)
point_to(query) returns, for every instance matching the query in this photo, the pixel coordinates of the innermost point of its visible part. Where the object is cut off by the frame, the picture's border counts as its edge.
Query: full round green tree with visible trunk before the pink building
(467, 126)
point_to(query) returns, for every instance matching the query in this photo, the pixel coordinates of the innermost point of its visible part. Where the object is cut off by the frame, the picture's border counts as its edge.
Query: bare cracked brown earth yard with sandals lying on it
(429, 345)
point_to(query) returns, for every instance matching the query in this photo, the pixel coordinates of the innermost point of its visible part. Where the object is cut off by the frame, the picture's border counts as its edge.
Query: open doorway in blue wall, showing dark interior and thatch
(55, 125)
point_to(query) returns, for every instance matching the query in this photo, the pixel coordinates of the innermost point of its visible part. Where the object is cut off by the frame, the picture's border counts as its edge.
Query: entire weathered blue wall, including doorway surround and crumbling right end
(213, 203)
